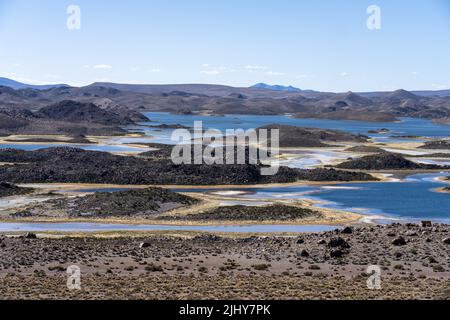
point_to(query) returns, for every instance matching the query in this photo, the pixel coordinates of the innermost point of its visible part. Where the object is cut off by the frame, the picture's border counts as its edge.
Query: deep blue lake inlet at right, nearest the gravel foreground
(413, 198)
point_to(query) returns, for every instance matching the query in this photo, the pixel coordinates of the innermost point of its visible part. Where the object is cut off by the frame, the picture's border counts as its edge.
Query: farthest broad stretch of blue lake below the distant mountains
(406, 127)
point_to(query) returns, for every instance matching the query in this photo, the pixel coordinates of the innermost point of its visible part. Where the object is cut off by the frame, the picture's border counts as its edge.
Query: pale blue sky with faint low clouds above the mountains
(321, 45)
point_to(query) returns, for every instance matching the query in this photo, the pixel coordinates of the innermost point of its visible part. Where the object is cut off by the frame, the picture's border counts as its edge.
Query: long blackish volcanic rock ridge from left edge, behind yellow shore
(66, 165)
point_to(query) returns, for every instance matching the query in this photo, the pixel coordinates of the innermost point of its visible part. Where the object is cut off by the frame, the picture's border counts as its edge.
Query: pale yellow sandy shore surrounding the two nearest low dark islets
(208, 201)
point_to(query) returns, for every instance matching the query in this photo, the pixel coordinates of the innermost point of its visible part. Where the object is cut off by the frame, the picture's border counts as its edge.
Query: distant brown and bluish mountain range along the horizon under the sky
(219, 100)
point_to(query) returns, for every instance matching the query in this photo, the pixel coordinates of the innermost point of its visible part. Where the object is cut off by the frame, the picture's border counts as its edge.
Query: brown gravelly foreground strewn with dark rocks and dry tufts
(331, 265)
